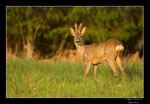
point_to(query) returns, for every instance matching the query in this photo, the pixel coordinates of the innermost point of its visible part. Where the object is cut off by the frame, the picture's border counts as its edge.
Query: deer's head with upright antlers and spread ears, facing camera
(78, 33)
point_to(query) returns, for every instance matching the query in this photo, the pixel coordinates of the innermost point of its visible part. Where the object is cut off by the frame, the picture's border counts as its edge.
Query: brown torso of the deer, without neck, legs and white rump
(97, 53)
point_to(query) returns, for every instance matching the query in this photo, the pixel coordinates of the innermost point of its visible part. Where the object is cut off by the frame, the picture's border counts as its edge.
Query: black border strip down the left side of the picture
(3, 53)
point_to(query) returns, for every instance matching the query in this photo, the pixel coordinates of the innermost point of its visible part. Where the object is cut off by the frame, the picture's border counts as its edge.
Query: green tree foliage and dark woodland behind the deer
(54, 22)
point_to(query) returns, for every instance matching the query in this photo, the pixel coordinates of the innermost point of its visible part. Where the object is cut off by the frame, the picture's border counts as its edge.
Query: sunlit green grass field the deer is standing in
(27, 78)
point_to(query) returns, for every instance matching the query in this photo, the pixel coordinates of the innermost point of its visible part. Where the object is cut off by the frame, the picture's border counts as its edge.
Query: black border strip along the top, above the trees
(76, 2)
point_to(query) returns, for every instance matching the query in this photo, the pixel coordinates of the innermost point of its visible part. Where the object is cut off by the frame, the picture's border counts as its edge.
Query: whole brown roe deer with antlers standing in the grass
(97, 53)
